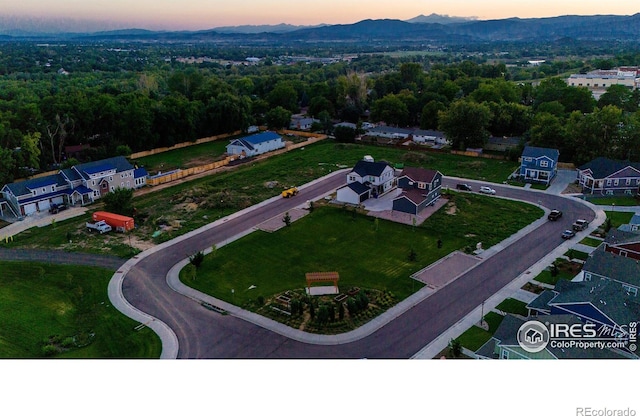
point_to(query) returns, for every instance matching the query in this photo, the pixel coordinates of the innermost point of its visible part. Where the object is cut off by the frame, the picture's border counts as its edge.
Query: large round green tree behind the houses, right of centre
(465, 123)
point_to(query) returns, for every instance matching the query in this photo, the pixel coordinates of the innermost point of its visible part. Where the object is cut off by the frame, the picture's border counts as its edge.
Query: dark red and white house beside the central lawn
(420, 188)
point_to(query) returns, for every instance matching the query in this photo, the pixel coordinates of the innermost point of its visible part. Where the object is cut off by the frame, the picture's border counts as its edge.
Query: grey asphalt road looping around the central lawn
(205, 334)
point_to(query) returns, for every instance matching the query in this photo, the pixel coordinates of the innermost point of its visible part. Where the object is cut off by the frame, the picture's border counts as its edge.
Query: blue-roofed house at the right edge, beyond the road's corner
(608, 177)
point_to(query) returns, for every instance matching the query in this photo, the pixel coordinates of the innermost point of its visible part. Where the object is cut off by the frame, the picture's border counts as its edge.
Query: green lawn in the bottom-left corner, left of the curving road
(64, 311)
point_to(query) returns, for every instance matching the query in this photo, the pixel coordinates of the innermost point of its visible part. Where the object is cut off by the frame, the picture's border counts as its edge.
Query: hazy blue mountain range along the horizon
(423, 29)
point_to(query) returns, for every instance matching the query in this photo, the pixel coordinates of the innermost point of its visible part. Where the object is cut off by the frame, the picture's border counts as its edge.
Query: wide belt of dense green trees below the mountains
(130, 100)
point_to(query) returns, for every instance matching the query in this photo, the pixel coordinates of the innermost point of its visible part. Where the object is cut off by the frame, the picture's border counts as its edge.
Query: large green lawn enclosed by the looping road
(365, 255)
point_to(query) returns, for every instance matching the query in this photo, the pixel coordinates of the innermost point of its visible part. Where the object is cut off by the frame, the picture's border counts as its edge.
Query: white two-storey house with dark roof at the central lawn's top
(367, 179)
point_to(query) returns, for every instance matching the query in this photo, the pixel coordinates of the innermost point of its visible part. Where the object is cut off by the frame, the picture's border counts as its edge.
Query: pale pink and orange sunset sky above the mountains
(207, 14)
